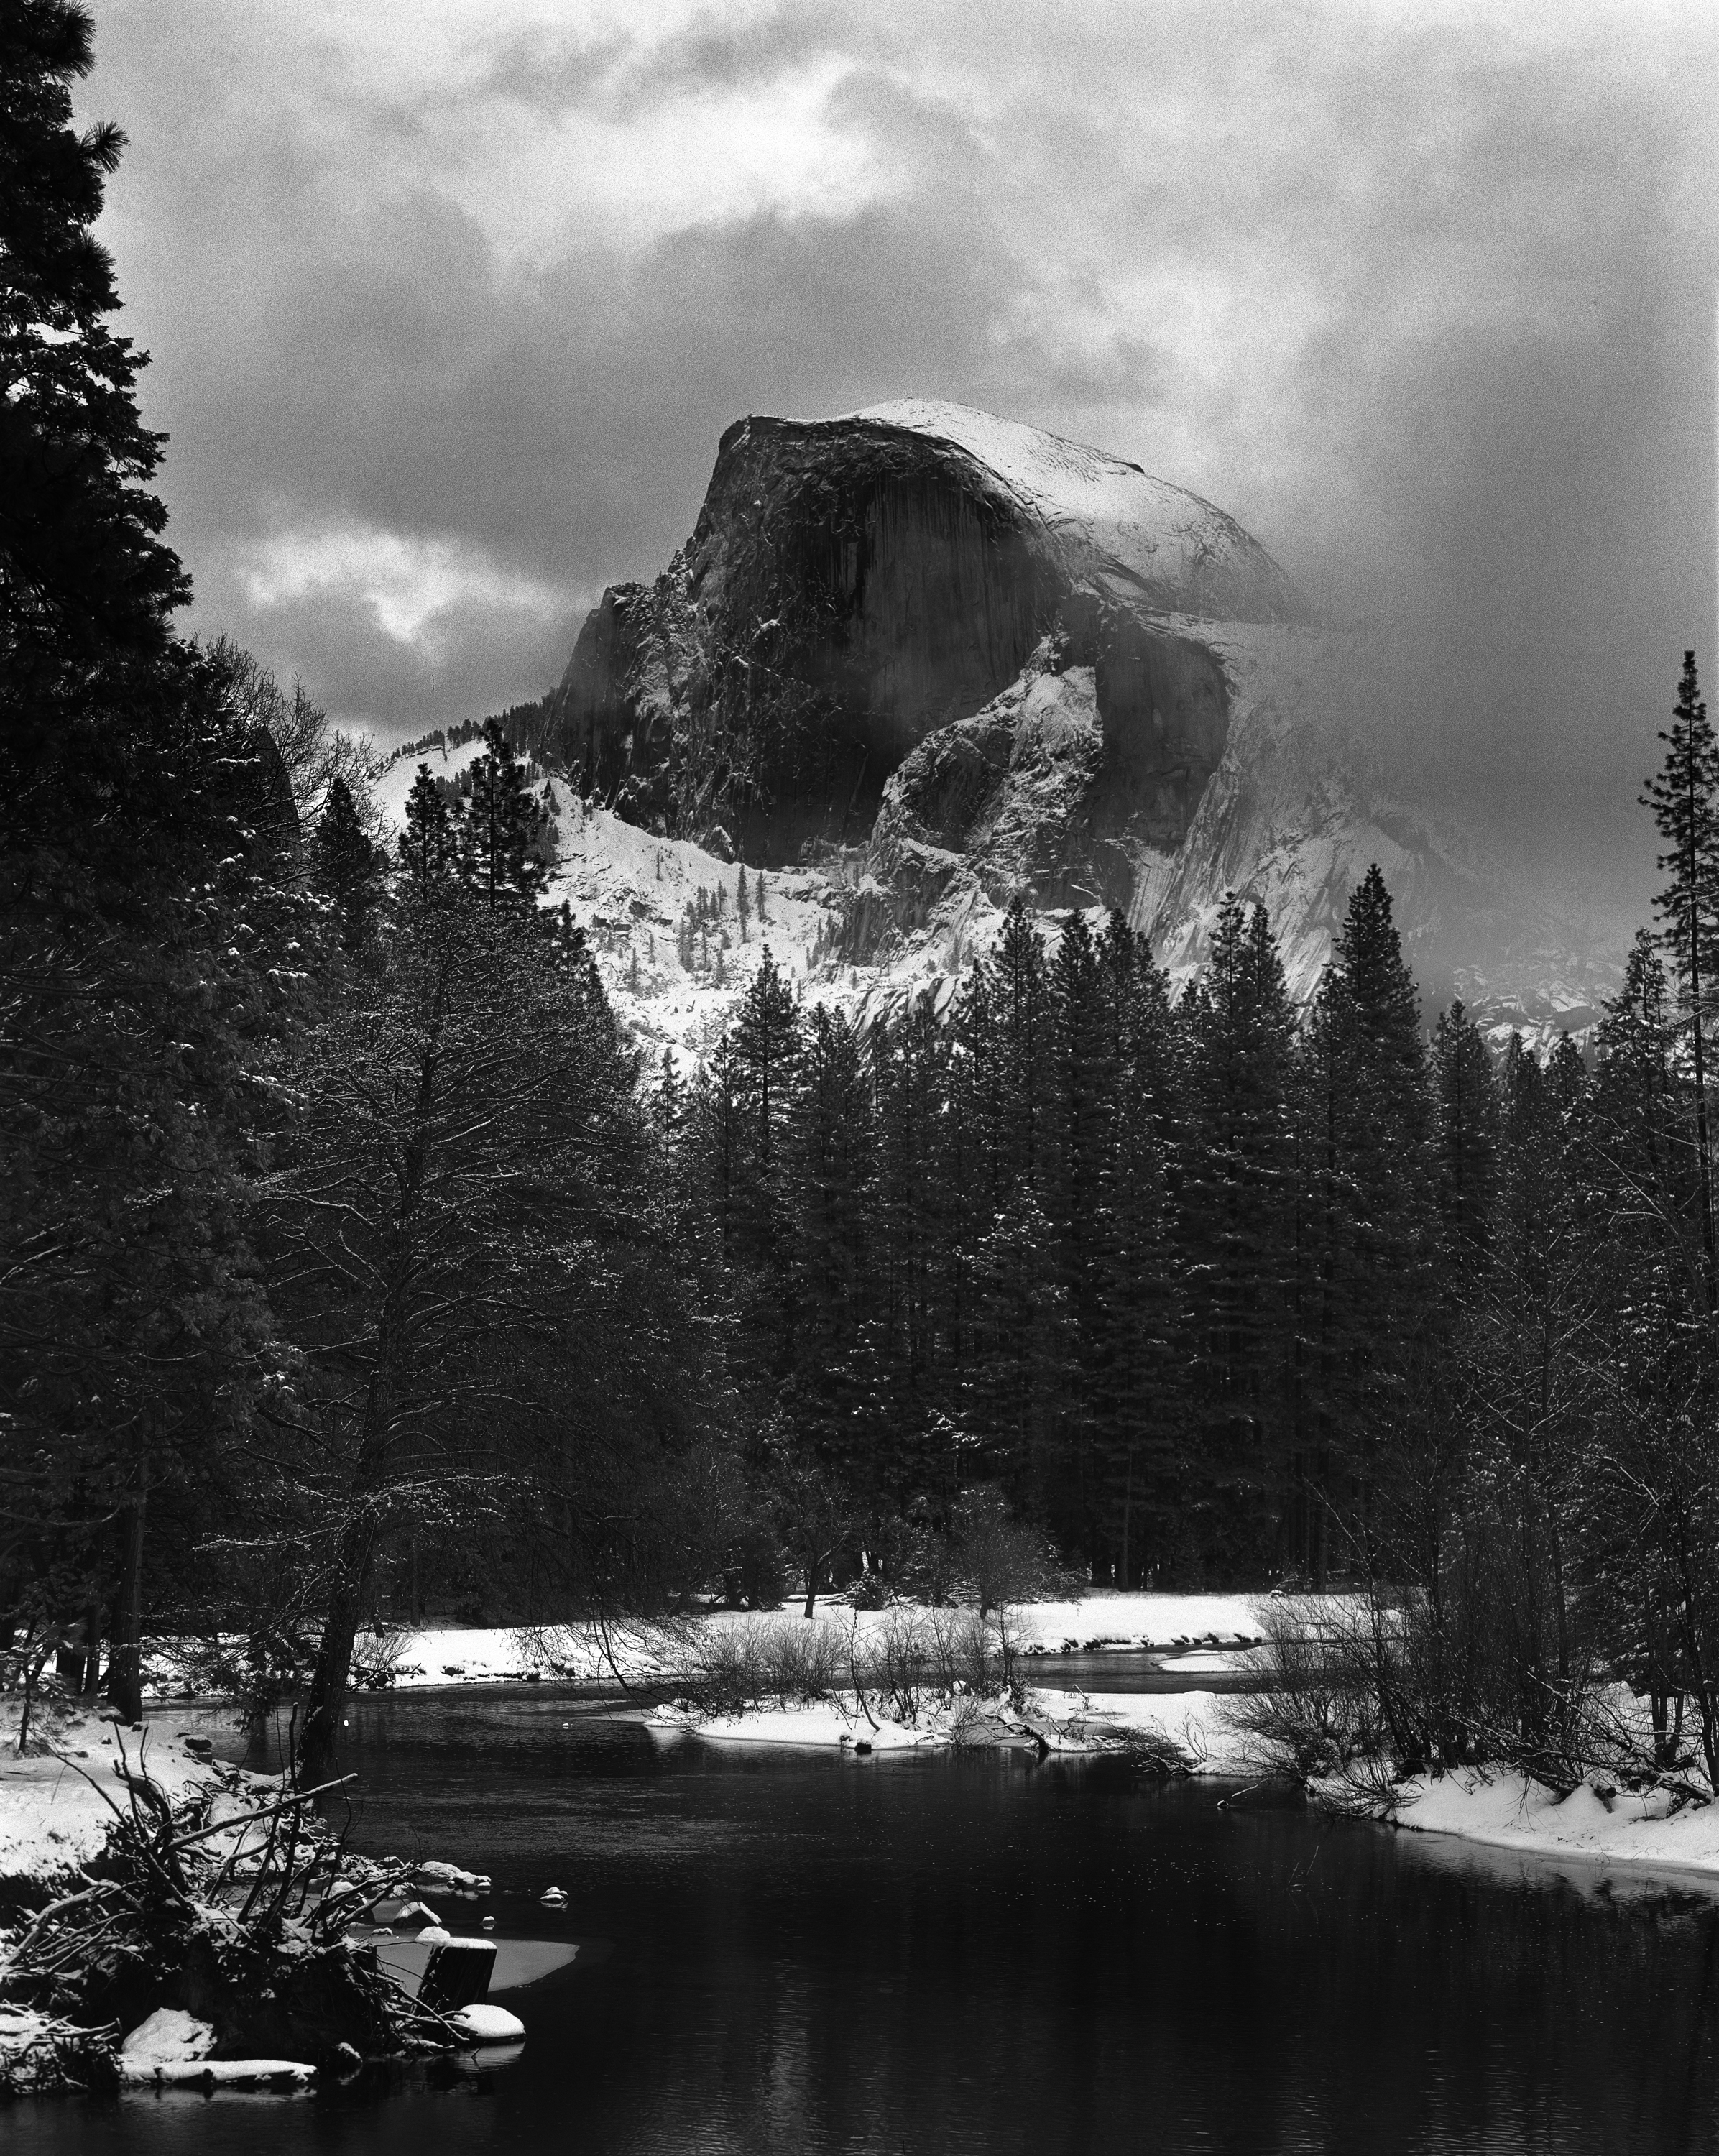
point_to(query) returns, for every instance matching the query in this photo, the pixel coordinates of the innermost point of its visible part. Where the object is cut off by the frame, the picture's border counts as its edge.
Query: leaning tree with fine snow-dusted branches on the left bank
(469, 1127)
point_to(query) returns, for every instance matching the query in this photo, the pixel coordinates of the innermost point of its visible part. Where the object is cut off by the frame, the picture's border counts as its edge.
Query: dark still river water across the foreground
(812, 1954)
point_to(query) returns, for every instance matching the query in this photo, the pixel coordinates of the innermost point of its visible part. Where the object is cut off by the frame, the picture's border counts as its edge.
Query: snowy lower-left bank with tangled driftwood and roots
(169, 1920)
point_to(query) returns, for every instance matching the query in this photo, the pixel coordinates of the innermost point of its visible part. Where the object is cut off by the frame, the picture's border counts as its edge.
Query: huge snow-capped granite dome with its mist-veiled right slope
(944, 659)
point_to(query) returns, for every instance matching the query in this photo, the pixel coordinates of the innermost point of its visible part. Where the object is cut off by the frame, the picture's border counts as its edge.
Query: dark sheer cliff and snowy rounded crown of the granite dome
(857, 585)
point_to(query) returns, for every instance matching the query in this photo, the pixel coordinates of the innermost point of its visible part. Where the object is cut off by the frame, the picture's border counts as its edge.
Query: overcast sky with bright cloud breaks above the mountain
(450, 305)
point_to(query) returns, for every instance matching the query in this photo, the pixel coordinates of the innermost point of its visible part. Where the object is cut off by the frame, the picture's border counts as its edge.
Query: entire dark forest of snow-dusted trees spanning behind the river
(350, 1260)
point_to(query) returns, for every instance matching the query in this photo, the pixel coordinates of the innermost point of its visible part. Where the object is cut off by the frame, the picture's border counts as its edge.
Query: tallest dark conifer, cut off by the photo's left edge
(141, 920)
